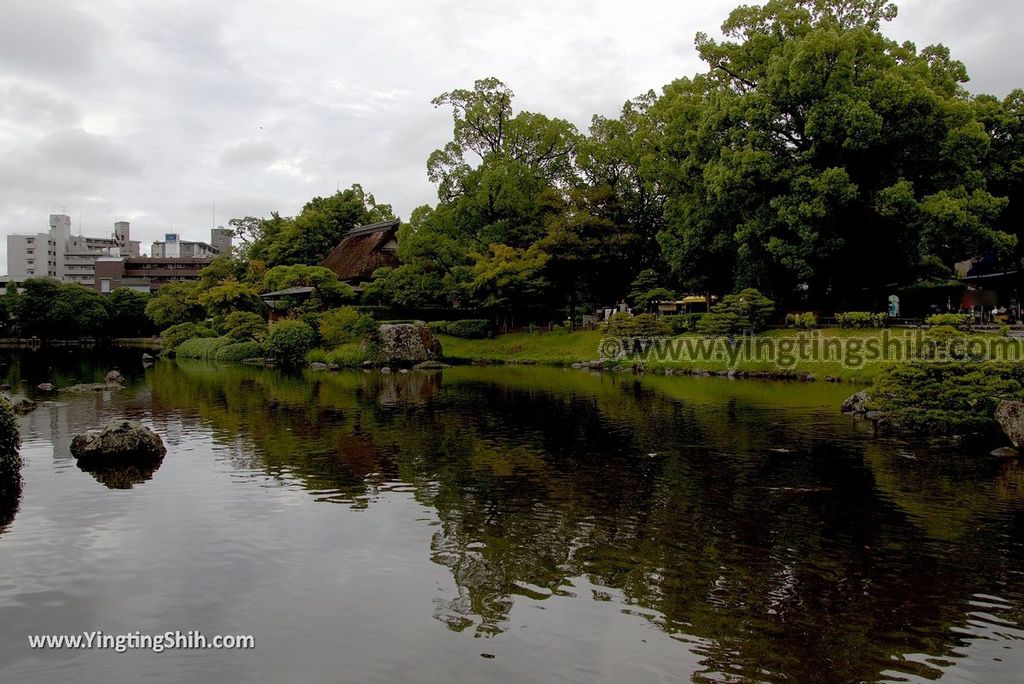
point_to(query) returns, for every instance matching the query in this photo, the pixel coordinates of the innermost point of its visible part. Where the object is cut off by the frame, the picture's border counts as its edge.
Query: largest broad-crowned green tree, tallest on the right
(816, 155)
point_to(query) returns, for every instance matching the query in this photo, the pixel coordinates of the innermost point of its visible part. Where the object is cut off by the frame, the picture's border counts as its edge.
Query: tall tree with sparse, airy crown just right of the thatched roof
(494, 181)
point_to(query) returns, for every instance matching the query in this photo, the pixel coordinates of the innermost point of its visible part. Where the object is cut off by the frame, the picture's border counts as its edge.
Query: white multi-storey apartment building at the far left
(61, 255)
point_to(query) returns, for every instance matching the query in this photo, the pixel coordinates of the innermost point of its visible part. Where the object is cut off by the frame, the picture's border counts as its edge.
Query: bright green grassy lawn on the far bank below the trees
(567, 349)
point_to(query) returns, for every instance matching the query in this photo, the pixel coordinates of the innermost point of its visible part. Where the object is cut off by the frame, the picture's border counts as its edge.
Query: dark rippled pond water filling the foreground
(504, 525)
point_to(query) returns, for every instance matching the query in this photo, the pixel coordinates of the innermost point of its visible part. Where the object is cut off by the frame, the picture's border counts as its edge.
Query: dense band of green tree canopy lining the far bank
(815, 159)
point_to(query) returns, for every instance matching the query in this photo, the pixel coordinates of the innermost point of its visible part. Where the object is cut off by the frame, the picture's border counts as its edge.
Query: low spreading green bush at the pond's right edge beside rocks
(953, 398)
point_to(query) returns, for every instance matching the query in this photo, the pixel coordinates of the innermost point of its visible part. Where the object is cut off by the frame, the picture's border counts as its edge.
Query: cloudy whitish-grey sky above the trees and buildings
(152, 112)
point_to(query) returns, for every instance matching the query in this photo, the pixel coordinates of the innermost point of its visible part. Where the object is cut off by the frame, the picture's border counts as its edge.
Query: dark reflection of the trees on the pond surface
(786, 547)
